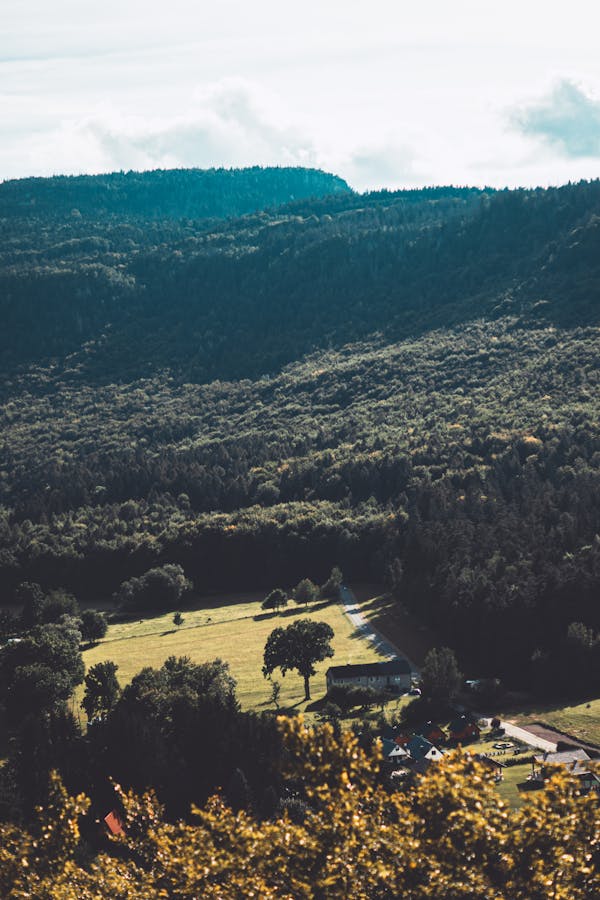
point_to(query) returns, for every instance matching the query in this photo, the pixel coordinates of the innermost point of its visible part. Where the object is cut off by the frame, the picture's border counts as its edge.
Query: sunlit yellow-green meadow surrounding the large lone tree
(234, 629)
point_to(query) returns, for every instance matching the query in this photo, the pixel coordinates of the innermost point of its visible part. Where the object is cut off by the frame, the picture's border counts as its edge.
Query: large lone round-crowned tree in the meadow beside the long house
(299, 647)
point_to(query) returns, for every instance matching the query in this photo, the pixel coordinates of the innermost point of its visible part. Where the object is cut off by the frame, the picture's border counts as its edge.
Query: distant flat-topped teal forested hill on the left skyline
(171, 193)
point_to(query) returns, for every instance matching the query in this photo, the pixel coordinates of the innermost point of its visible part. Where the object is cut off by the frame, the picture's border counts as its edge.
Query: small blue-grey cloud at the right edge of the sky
(567, 119)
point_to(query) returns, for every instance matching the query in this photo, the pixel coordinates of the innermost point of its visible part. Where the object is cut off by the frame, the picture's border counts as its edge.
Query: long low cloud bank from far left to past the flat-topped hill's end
(233, 122)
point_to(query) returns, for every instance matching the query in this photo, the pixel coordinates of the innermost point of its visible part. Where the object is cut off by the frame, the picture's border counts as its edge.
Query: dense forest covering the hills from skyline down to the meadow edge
(260, 374)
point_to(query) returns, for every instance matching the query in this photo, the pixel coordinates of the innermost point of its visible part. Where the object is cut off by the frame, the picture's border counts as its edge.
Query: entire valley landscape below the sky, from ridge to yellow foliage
(214, 383)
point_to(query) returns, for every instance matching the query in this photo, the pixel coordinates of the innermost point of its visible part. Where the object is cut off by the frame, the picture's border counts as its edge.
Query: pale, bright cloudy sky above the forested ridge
(385, 93)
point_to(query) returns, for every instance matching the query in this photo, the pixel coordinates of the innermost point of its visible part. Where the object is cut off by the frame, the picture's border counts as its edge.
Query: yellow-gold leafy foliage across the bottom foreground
(448, 837)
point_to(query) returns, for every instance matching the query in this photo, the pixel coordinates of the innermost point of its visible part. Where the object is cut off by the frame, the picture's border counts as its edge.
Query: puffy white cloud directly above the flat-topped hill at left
(231, 123)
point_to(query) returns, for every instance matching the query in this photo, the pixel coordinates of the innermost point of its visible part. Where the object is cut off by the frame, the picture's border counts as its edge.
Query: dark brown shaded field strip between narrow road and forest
(408, 634)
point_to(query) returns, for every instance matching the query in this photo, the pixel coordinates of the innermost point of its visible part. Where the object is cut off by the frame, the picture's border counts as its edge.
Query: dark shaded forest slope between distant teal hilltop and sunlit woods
(119, 298)
